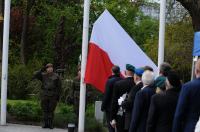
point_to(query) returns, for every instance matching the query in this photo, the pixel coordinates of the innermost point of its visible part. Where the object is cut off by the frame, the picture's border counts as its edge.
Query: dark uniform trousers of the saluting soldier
(48, 105)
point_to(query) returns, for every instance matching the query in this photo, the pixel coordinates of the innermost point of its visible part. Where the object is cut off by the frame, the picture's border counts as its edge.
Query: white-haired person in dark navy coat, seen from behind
(142, 103)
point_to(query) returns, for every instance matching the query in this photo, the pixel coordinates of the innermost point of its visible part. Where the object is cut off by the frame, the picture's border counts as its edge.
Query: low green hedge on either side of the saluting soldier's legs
(30, 111)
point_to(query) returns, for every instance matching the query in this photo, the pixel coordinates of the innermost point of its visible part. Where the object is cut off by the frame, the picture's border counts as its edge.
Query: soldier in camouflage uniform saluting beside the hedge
(50, 93)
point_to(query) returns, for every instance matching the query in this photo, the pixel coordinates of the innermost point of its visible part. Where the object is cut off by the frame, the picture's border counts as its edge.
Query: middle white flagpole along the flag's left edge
(83, 65)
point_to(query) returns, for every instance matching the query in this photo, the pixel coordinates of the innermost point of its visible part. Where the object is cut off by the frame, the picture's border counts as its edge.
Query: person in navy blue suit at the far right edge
(188, 108)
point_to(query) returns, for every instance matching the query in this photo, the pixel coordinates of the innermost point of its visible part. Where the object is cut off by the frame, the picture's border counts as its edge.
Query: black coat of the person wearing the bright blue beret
(128, 104)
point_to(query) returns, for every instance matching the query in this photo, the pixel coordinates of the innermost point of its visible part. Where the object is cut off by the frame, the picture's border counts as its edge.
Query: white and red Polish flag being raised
(110, 45)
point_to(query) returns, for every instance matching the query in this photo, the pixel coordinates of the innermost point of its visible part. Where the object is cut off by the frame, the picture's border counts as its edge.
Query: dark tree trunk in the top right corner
(193, 7)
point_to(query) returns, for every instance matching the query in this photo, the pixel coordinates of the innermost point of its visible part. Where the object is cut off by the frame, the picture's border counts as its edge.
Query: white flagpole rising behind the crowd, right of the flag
(161, 33)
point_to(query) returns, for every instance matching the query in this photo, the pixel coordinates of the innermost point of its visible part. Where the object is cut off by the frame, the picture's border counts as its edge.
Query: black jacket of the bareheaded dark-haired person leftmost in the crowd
(107, 98)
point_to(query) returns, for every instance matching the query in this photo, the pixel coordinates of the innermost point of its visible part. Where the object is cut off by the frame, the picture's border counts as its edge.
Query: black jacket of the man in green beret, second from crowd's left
(120, 88)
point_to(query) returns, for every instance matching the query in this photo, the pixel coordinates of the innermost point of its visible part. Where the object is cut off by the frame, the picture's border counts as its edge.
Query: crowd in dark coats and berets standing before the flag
(140, 102)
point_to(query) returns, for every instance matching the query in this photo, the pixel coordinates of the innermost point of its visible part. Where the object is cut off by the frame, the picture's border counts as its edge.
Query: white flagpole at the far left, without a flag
(4, 76)
